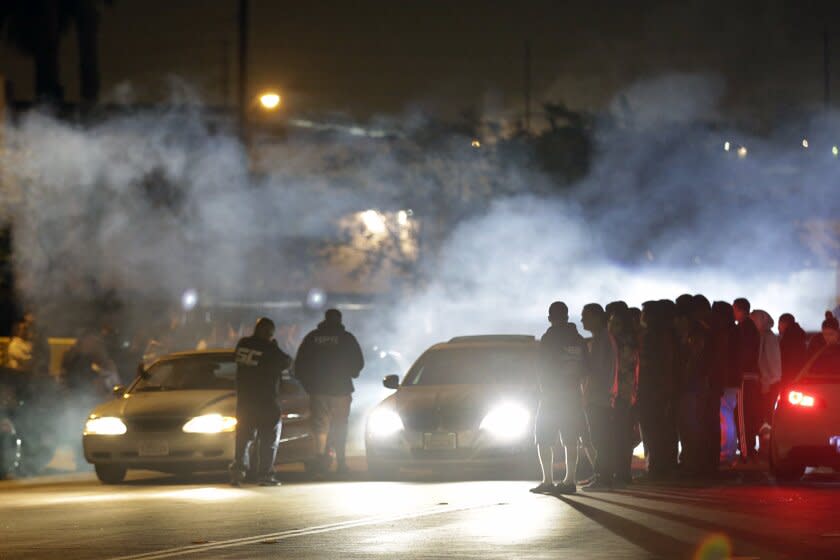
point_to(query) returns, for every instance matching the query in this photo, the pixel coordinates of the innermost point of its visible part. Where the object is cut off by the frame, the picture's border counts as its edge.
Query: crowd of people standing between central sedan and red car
(663, 368)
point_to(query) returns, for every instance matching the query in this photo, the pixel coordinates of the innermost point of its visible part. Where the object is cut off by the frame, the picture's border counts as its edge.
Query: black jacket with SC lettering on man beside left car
(259, 366)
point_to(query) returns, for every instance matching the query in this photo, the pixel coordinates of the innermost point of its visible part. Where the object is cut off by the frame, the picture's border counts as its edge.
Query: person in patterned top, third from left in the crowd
(624, 393)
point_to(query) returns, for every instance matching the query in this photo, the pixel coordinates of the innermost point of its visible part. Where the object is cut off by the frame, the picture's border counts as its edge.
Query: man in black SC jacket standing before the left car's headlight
(259, 367)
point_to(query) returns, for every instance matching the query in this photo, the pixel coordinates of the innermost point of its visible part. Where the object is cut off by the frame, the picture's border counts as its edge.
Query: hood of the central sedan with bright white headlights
(453, 407)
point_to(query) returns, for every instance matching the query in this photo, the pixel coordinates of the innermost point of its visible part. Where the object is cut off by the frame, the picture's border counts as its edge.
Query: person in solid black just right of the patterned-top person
(656, 387)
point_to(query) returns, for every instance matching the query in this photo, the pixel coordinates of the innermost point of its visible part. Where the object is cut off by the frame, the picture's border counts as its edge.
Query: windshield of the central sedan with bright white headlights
(475, 366)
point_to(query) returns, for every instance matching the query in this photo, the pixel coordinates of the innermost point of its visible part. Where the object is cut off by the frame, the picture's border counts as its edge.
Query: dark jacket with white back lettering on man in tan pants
(328, 360)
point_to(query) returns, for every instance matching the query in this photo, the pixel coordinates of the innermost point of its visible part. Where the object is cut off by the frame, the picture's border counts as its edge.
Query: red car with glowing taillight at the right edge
(806, 421)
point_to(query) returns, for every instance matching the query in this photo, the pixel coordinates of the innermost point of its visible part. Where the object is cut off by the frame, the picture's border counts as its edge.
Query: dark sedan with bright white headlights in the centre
(469, 402)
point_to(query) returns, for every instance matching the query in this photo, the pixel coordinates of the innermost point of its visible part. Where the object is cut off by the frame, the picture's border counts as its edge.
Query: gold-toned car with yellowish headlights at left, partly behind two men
(179, 416)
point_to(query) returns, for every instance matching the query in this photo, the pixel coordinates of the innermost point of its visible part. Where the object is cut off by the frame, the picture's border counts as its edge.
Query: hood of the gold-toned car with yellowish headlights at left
(169, 404)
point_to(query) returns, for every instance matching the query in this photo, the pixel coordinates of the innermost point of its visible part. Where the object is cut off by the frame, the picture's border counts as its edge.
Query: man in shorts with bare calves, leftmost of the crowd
(559, 414)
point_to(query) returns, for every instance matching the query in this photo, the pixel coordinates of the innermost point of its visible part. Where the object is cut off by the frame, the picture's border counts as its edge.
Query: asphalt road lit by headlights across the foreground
(152, 517)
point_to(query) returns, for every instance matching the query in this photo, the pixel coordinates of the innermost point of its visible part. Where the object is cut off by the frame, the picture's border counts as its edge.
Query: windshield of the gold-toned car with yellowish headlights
(193, 373)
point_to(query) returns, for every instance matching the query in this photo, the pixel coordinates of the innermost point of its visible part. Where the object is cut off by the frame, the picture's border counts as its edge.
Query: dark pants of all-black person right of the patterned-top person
(657, 423)
